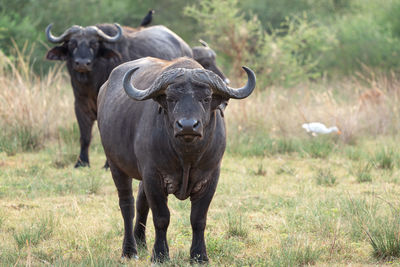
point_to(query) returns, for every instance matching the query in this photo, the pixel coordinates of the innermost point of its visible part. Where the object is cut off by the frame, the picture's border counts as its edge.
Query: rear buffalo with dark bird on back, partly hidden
(92, 52)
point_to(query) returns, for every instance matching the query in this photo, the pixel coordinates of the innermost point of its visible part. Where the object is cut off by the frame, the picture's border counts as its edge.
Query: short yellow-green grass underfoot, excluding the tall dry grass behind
(268, 210)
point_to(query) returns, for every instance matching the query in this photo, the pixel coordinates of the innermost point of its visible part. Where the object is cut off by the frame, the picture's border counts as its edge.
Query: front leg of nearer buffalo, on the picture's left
(157, 200)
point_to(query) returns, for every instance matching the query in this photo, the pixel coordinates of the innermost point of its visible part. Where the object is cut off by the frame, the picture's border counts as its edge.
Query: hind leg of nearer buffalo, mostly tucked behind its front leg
(142, 210)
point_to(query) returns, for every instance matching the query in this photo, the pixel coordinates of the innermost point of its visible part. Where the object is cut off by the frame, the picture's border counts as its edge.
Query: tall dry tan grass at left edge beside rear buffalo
(32, 108)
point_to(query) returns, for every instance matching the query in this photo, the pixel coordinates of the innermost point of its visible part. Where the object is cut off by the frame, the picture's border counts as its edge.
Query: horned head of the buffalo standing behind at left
(82, 45)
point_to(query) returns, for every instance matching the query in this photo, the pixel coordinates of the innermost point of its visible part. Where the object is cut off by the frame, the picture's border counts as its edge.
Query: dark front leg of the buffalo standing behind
(85, 122)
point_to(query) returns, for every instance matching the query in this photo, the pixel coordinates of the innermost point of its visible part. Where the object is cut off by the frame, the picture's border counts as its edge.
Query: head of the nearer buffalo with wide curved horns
(189, 96)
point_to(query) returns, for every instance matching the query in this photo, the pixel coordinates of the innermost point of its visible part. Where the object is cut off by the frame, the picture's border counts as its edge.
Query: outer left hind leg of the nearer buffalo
(127, 206)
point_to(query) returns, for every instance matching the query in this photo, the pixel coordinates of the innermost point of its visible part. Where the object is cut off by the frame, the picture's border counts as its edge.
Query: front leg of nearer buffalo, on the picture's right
(198, 218)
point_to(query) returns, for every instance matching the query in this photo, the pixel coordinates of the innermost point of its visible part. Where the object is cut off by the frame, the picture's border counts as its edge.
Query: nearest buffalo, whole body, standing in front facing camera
(159, 123)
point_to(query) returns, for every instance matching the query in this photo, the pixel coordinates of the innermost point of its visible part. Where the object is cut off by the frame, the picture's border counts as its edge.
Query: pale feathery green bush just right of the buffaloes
(292, 53)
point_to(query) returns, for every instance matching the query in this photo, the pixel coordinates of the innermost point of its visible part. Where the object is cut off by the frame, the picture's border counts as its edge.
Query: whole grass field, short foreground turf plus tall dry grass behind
(284, 198)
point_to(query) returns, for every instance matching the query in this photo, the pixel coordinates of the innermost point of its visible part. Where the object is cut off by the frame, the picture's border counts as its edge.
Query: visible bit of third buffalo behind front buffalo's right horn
(206, 57)
